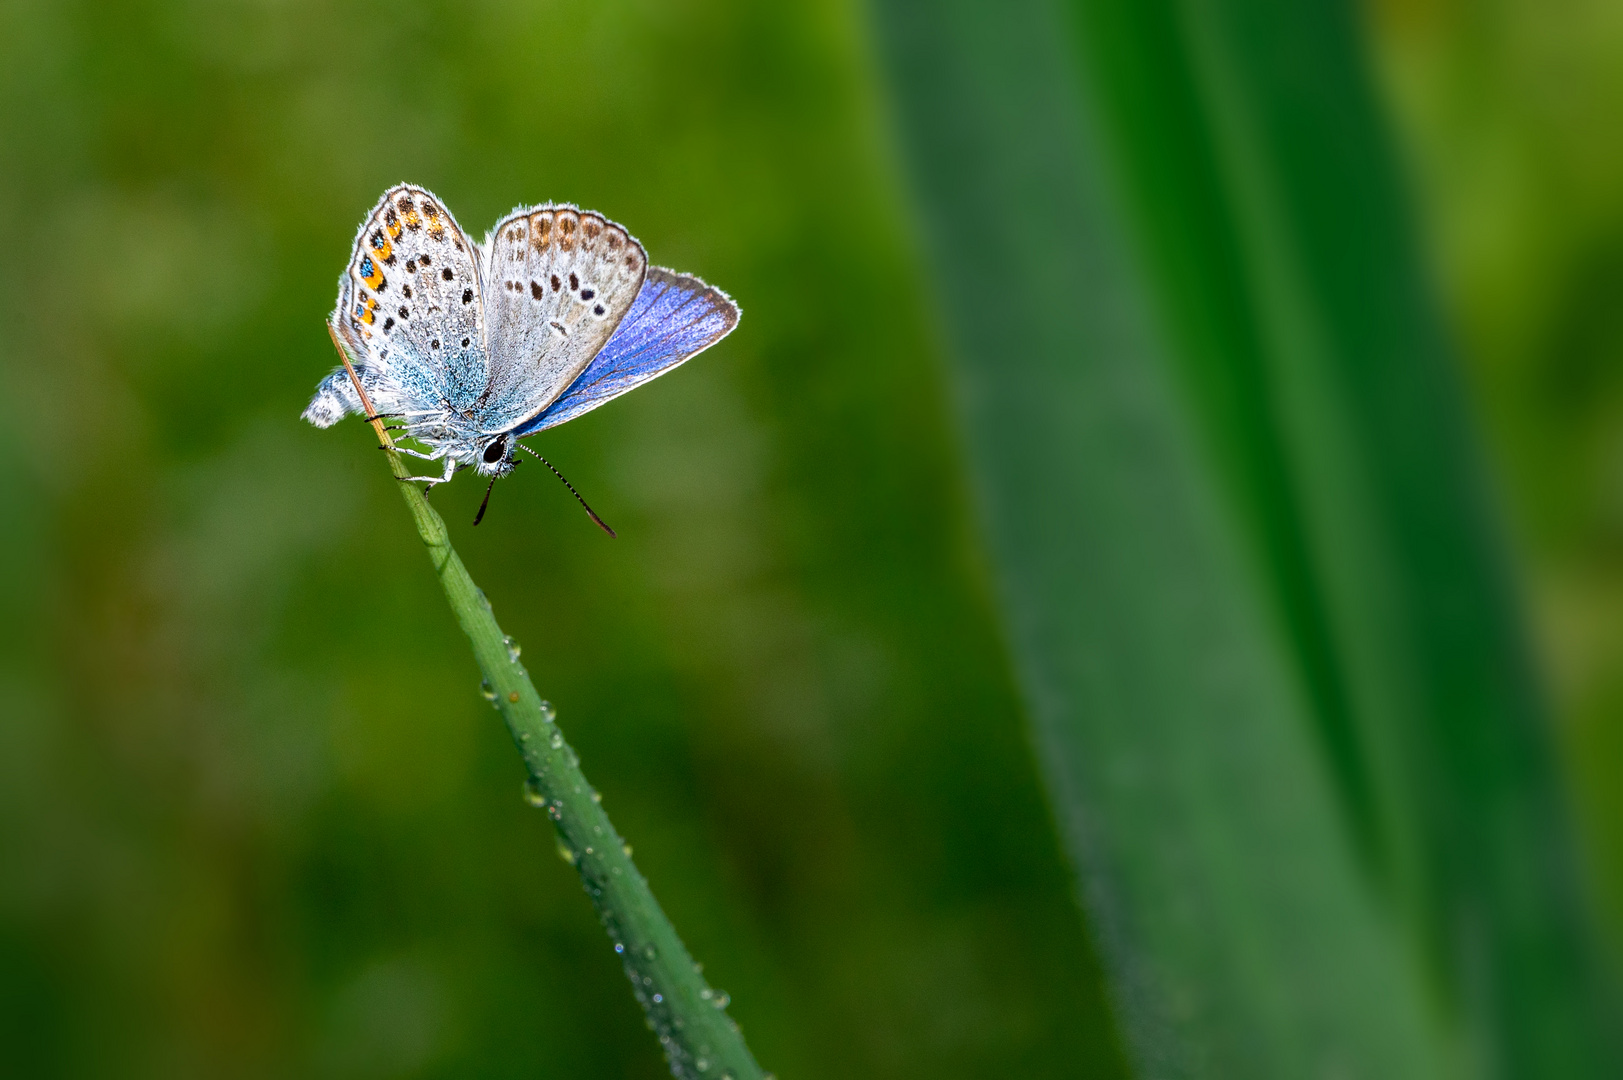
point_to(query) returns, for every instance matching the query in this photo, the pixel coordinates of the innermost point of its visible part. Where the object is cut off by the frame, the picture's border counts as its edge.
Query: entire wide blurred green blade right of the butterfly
(1273, 665)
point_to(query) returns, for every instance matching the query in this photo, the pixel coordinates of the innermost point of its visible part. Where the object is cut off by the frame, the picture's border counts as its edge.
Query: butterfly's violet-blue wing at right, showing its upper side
(673, 319)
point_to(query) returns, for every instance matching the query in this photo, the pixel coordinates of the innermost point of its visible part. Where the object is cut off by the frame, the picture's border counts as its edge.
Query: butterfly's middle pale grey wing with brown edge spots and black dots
(561, 280)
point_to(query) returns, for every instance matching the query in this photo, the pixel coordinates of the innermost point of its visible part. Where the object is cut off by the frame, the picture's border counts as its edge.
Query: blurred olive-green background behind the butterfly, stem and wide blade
(256, 819)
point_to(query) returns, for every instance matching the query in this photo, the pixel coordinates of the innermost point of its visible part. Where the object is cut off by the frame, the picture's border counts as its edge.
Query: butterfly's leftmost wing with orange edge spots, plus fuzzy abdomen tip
(410, 311)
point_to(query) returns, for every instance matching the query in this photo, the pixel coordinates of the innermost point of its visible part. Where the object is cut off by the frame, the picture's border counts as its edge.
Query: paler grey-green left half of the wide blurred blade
(1225, 891)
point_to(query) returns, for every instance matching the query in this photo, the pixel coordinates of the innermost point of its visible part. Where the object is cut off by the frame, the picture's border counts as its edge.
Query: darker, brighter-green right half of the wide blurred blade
(1296, 290)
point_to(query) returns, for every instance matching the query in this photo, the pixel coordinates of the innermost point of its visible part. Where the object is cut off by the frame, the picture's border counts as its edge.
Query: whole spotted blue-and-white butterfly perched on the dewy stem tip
(473, 347)
